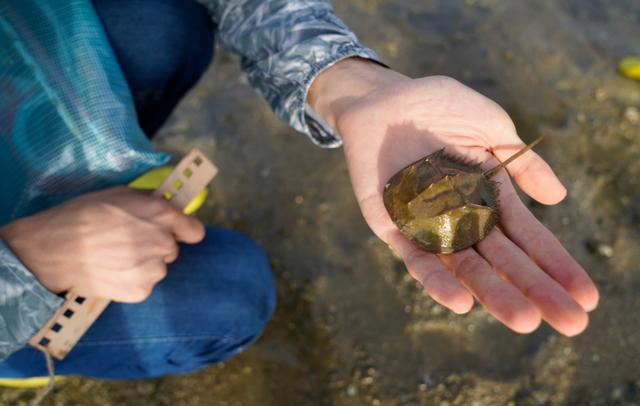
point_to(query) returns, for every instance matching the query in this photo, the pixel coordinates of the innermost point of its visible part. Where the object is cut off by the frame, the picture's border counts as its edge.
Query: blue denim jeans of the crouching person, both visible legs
(219, 294)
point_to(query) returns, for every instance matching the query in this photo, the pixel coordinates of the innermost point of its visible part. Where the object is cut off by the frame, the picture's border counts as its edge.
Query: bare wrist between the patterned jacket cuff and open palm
(346, 83)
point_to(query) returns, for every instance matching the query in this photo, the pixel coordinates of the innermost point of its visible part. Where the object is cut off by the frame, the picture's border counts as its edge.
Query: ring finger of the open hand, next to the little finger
(500, 298)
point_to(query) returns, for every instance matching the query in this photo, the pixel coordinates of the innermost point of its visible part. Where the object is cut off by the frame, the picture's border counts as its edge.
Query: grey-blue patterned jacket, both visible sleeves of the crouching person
(284, 45)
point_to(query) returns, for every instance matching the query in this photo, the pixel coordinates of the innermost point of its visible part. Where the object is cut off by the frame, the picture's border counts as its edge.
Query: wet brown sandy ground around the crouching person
(351, 327)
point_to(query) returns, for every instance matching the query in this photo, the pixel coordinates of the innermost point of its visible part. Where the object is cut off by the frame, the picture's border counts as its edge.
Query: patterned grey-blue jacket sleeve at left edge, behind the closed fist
(25, 305)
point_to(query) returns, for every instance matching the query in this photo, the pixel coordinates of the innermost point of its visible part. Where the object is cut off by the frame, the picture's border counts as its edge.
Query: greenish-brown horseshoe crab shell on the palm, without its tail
(442, 203)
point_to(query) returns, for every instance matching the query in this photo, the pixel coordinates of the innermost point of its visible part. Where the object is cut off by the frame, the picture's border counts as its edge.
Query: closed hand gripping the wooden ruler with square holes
(112, 244)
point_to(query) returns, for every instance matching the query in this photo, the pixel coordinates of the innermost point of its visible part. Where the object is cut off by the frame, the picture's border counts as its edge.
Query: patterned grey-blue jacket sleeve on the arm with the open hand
(284, 45)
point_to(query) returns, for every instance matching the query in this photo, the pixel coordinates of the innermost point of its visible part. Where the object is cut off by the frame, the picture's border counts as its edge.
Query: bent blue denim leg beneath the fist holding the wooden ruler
(215, 300)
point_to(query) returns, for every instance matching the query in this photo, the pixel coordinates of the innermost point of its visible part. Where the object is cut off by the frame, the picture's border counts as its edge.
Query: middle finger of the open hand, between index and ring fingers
(555, 304)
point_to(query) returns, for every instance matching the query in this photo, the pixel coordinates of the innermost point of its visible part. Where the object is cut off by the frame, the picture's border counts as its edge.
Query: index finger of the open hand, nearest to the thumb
(544, 248)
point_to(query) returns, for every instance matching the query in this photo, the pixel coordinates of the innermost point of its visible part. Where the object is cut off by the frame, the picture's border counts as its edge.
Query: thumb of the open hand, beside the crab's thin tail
(532, 173)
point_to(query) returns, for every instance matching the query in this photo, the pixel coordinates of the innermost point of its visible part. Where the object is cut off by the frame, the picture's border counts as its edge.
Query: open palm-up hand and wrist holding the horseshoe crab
(519, 272)
